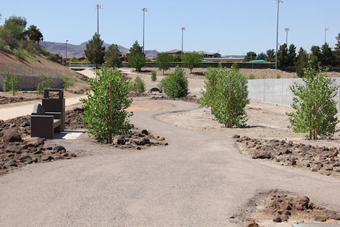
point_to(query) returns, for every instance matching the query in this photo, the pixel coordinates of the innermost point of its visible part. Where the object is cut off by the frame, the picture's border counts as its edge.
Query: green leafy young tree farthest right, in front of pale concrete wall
(315, 108)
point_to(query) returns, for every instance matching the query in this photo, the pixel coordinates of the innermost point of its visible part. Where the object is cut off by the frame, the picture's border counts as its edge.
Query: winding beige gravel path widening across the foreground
(200, 179)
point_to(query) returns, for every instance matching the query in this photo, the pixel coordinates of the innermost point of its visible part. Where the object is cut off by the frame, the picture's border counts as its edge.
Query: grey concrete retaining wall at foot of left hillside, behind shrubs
(31, 82)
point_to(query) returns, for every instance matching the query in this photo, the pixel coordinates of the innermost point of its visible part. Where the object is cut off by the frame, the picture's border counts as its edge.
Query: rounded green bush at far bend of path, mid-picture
(176, 84)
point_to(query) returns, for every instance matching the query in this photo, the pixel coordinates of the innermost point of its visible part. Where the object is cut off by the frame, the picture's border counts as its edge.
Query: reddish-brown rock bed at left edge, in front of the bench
(15, 153)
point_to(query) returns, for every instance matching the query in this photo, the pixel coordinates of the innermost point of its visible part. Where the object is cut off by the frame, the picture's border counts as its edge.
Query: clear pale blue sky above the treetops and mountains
(228, 27)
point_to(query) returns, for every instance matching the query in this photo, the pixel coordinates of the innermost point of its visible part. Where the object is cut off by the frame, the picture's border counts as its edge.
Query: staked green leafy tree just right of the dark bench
(97, 105)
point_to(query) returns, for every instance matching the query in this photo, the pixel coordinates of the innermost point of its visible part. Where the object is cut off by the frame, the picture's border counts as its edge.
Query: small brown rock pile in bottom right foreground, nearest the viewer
(283, 207)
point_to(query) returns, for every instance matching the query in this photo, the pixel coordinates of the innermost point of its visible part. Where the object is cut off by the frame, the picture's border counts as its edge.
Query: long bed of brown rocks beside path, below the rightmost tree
(319, 159)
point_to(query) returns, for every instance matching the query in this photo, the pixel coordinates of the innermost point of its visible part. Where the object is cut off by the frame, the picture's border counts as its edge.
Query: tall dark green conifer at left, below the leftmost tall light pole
(95, 50)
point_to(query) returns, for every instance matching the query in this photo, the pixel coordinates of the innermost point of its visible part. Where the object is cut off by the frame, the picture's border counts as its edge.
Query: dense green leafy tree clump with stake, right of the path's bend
(229, 97)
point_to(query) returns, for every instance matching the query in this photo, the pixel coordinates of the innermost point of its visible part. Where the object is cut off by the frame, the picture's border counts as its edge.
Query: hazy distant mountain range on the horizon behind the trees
(75, 50)
